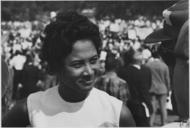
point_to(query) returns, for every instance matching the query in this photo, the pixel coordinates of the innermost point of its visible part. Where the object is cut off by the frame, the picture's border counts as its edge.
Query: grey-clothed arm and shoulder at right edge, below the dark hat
(181, 72)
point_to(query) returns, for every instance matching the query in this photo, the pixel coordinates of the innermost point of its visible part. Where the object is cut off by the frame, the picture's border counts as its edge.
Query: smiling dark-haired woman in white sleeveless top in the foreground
(71, 48)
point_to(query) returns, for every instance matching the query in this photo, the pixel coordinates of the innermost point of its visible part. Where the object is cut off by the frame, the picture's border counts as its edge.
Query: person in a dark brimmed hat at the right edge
(175, 45)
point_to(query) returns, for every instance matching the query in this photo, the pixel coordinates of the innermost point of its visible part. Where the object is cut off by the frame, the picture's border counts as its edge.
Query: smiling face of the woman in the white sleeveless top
(80, 67)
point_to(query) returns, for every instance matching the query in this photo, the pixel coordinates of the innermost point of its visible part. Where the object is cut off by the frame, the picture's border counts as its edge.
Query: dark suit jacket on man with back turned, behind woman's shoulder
(139, 81)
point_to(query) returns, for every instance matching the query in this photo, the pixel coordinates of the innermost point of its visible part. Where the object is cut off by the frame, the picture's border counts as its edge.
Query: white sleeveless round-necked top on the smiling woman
(48, 109)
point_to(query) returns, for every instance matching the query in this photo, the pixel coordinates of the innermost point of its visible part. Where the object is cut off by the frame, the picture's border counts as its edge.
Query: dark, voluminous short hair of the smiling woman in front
(61, 34)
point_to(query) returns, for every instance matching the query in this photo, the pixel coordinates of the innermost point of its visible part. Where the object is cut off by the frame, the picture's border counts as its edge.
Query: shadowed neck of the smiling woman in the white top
(71, 96)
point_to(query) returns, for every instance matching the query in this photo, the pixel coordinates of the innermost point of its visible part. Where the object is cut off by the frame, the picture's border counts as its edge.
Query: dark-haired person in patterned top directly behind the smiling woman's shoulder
(110, 82)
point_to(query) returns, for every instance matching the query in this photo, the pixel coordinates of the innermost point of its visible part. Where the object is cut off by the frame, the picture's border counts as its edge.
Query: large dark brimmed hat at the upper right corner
(174, 18)
